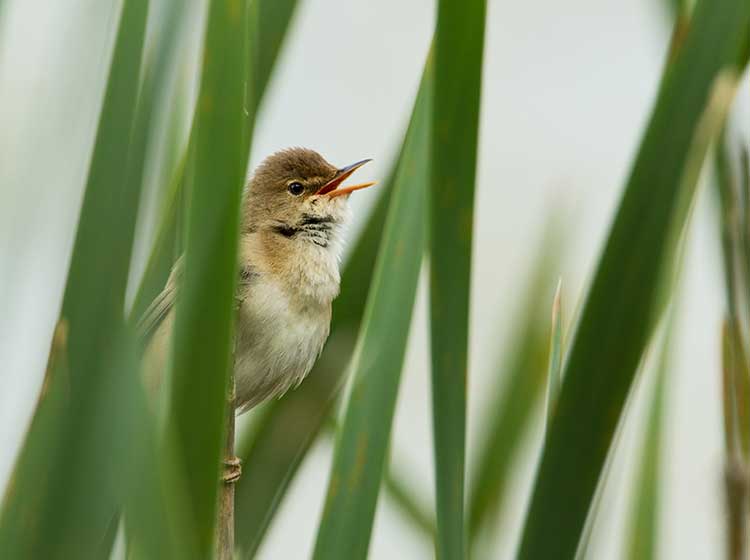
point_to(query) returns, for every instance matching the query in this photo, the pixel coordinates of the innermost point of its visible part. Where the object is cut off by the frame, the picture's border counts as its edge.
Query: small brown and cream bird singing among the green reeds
(293, 212)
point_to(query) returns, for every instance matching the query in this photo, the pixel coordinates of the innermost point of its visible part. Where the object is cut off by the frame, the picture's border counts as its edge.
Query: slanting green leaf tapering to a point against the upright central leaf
(361, 446)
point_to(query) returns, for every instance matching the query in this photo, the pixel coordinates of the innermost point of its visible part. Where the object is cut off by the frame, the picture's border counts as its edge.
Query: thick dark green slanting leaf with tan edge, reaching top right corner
(625, 298)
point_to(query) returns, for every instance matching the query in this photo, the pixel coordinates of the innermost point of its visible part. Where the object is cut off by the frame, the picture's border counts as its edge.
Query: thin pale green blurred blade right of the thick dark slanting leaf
(641, 543)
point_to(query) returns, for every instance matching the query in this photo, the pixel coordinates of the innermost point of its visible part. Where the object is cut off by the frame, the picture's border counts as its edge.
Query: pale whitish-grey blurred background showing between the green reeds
(567, 90)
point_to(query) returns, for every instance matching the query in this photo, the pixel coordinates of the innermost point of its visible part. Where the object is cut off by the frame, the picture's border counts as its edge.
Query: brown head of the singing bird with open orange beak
(298, 194)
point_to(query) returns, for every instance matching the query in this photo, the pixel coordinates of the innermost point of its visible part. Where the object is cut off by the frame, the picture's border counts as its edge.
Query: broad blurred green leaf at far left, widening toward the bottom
(73, 469)
